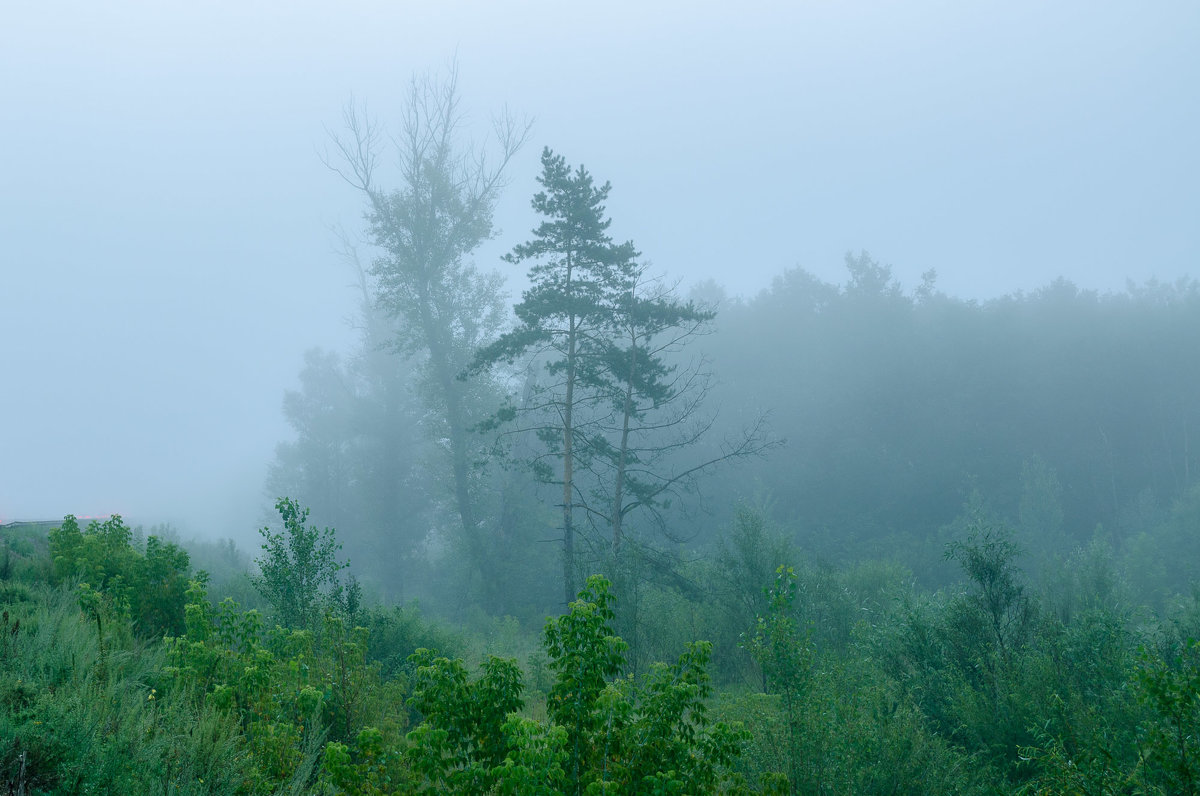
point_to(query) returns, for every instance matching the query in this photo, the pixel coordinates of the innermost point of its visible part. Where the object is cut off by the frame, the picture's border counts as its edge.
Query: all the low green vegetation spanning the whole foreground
(122, 673)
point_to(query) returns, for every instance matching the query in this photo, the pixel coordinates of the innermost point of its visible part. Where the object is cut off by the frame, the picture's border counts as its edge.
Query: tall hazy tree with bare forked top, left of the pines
(425, 229)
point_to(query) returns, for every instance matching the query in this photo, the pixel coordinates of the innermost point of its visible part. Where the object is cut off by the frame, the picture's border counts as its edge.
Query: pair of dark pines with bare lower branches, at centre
(619, 412)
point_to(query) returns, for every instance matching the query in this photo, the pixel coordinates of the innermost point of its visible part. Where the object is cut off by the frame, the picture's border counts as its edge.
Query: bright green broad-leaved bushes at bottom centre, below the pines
(604, 734)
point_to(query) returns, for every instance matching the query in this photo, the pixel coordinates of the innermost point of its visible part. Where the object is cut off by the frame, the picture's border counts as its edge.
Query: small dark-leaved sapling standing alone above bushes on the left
(299, 568)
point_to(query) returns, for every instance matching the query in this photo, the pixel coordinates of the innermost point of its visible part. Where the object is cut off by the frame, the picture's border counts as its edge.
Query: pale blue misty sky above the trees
(166, 254)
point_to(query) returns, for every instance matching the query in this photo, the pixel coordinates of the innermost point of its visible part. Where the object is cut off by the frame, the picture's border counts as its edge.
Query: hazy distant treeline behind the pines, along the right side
(1058, 411)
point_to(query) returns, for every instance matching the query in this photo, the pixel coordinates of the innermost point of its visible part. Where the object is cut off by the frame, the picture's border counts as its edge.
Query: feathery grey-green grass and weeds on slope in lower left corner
(77, 716)
